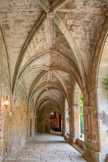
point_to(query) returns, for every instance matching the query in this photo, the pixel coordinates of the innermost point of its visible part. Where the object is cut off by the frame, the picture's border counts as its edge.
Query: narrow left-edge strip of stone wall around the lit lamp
(4, 92)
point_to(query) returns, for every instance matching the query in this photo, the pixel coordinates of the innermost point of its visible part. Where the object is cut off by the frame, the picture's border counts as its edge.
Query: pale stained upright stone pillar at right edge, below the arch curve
(102, 108)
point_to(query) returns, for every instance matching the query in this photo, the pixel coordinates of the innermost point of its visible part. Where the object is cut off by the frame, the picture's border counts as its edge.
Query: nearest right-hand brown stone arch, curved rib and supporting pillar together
(91, 102)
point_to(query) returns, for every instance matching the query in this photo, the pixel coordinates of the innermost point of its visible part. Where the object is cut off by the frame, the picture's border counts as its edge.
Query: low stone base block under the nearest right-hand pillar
(92, 155)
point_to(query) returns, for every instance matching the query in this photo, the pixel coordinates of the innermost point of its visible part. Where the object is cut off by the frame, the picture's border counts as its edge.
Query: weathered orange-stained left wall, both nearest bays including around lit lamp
(14, 119)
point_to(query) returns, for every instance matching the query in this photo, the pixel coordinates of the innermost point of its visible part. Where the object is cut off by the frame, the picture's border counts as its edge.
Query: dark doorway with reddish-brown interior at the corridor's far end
(55, 121)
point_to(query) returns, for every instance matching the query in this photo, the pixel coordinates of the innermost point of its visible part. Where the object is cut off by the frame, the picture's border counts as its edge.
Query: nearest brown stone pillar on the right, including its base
(91, 149)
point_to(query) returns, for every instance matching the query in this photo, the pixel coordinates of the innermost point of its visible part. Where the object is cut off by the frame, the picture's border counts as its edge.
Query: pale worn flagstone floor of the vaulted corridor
(48, 148)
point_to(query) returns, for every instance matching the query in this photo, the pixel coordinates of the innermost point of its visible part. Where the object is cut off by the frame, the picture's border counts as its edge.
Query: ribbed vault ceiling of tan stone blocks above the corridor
(50, 44)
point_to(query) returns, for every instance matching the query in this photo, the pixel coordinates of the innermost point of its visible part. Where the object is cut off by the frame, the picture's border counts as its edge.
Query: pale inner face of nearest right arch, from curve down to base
(102, 96)
